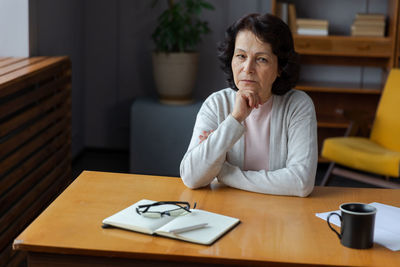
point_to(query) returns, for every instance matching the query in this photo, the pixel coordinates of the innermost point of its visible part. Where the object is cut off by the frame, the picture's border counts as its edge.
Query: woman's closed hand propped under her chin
(246, 100)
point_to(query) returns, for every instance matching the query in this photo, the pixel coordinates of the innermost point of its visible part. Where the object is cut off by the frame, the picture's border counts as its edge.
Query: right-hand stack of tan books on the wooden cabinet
(369, 25)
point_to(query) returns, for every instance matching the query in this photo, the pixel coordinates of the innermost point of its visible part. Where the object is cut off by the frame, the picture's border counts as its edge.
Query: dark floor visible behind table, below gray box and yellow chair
(118, 161)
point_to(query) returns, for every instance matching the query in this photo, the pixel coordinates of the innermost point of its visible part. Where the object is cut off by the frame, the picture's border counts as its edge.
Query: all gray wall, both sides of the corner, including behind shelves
(110, 48)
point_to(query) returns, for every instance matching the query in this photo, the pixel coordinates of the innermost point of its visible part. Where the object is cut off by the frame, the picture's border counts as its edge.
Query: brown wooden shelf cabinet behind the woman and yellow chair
(333, 100)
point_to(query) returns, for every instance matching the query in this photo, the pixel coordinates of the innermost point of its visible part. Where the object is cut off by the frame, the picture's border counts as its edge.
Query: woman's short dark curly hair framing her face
(270, 29)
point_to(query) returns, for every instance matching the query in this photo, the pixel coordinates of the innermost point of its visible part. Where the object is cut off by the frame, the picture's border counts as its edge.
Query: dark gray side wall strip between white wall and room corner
(57, 28)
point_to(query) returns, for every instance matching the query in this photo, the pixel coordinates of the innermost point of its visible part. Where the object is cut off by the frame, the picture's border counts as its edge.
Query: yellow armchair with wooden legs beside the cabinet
(380, 153)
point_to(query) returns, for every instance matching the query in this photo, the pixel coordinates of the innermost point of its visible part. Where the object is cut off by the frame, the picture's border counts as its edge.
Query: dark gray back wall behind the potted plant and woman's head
(118, 62)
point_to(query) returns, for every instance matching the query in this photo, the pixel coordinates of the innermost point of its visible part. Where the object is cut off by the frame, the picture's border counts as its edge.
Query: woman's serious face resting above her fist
(254, 66)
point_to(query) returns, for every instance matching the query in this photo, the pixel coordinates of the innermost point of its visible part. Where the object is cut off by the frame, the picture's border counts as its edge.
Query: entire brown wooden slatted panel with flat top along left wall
(35, 142)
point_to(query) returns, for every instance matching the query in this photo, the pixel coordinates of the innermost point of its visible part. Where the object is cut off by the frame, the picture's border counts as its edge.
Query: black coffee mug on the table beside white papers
(357, 225)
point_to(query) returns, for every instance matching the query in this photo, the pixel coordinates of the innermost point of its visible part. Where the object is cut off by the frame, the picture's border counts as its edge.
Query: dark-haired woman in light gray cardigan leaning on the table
(260, 134)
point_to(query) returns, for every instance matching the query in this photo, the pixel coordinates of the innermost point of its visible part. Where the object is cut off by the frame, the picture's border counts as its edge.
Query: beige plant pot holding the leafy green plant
(175, 76)
